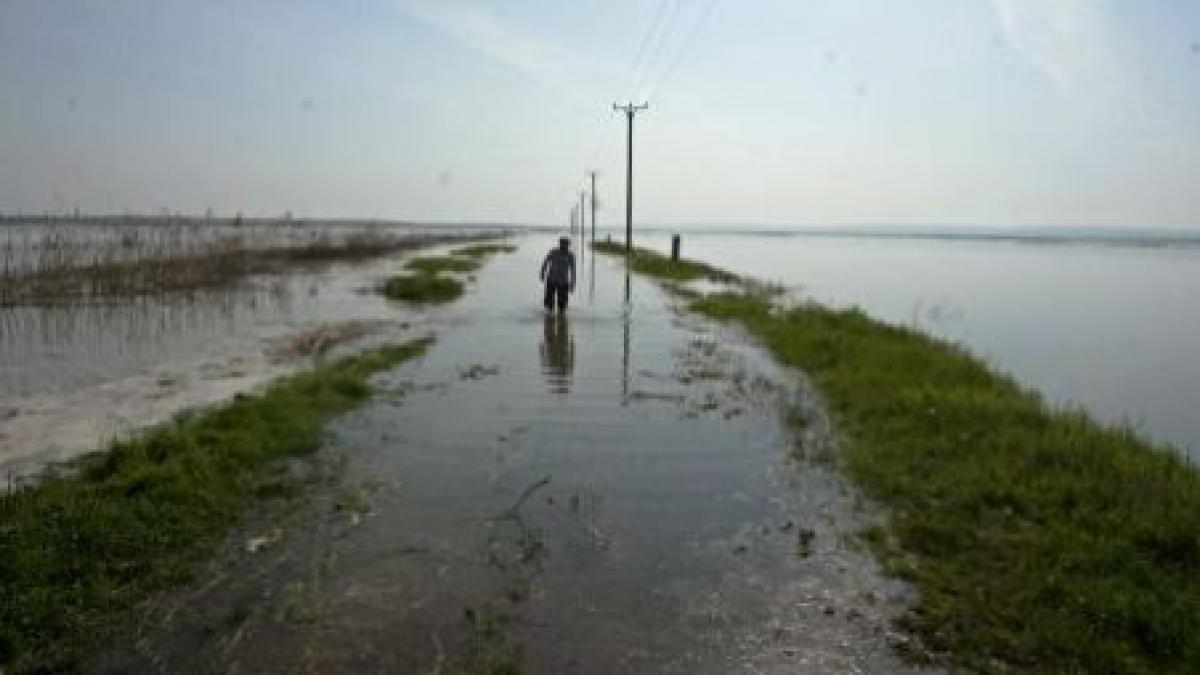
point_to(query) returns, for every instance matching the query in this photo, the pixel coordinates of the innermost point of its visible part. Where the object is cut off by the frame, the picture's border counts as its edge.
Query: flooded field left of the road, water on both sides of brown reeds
(76, 373)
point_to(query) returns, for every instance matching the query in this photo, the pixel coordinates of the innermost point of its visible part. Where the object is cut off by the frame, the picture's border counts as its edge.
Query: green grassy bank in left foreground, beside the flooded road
(92, 541)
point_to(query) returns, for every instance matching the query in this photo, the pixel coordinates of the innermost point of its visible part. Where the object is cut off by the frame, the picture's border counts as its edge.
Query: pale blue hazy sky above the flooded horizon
(761, 112)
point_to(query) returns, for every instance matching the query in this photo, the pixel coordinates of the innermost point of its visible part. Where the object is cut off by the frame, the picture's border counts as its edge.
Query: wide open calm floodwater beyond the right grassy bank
(1109, 324)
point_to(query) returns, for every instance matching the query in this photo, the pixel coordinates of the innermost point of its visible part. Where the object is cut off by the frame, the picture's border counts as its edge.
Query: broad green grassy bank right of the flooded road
(1041, 541)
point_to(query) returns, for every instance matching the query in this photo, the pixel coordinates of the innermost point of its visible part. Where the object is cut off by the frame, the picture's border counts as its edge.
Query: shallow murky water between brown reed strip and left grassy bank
(74, 378)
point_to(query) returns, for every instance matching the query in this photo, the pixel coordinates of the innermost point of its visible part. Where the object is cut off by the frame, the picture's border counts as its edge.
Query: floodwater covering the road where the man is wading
(611, 492)
